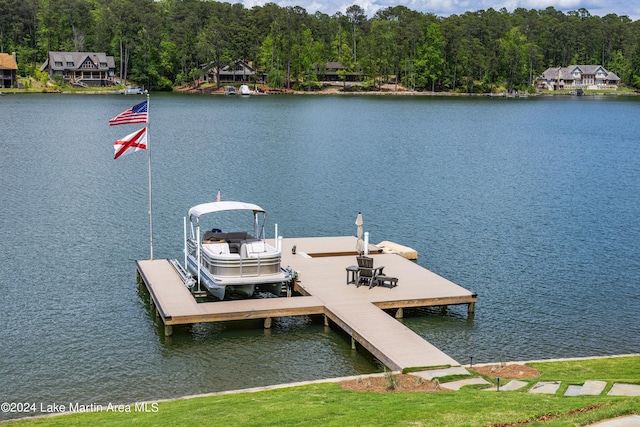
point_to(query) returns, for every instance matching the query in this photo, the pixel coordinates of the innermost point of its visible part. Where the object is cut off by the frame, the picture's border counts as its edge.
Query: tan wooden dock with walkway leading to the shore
(321, 266)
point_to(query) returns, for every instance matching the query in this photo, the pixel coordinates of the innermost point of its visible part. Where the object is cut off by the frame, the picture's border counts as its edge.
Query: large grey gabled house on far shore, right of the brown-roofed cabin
(81, 68)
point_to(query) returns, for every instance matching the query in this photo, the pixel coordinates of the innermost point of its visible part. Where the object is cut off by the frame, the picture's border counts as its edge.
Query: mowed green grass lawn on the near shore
(328, 404)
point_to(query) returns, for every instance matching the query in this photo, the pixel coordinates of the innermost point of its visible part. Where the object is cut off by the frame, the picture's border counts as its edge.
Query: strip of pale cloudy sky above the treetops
(630, 8)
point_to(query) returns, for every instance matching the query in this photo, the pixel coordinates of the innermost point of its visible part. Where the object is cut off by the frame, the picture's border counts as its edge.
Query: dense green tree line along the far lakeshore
(164, 43)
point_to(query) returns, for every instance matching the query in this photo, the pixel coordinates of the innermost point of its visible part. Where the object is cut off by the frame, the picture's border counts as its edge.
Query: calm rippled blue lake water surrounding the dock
(532, 203)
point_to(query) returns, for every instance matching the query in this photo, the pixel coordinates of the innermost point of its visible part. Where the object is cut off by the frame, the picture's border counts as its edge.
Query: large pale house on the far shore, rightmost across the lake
(578, 77)
